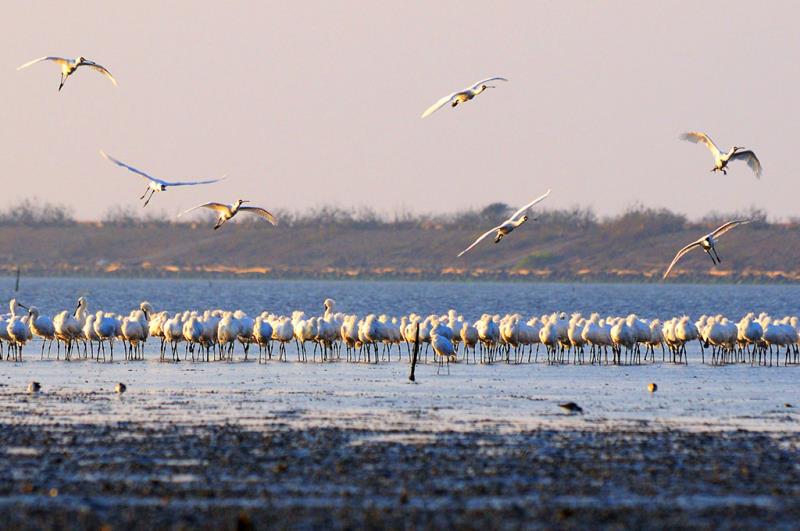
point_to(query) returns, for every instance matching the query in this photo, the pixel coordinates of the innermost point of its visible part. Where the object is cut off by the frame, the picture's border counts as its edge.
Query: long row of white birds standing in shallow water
(511, 338)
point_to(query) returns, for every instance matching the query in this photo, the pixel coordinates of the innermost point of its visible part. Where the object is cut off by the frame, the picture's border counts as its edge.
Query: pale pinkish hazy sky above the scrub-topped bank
(304, 104)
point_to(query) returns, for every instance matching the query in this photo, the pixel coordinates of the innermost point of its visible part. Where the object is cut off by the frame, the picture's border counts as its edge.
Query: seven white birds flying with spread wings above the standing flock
(227, 211)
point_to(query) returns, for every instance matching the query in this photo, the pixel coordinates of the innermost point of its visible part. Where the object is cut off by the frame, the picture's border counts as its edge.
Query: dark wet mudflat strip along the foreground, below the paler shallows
(136, 476)
